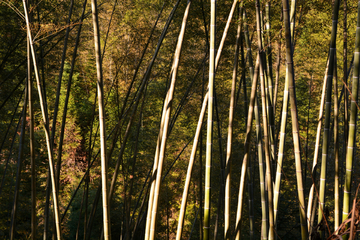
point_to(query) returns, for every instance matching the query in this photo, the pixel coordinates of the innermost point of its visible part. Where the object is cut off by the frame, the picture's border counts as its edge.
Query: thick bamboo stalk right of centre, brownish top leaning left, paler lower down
(294, 118)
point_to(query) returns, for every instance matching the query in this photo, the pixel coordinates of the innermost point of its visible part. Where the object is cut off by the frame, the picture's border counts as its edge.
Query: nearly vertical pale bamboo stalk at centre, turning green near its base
(210, 121)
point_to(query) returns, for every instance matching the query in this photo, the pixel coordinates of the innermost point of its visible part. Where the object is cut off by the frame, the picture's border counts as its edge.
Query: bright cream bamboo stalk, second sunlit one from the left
(100, 90)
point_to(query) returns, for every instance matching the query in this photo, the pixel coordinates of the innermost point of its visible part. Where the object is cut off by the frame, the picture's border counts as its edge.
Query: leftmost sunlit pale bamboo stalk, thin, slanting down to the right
(46, 127)
